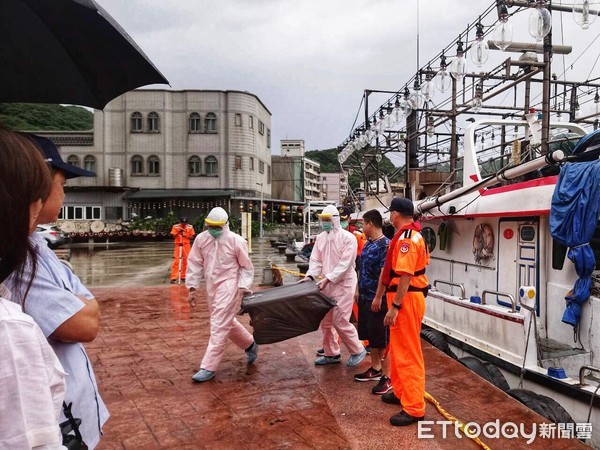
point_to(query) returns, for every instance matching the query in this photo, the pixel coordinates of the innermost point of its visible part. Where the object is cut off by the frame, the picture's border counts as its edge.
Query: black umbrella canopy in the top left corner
(67, 51)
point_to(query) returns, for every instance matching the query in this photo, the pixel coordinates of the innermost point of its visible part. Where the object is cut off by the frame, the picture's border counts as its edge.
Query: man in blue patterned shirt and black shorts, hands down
(371, 310)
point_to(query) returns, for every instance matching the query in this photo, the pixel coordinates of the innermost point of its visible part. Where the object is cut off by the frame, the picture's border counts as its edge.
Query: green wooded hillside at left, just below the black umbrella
(45, 117)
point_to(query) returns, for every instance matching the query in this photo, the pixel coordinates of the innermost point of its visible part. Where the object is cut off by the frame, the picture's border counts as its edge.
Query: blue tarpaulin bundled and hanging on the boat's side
(573, 220)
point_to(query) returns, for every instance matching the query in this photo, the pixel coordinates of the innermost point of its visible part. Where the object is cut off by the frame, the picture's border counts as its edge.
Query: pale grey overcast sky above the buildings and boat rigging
(309, 61)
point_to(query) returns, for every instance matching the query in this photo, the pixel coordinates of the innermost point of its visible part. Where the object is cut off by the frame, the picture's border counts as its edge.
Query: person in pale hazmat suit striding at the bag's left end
(220, 256)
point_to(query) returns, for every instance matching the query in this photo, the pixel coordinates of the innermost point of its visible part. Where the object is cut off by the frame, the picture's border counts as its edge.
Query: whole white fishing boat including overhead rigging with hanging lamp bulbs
(508, 198)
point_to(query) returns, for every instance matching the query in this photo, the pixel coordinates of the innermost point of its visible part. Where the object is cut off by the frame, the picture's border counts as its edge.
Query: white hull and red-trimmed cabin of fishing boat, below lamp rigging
(503, 287)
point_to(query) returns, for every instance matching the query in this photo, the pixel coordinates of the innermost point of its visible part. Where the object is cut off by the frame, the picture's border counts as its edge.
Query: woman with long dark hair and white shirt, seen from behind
(32, 382)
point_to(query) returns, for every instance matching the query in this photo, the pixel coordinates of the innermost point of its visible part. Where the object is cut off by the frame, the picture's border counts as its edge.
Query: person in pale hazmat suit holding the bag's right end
(331, 264)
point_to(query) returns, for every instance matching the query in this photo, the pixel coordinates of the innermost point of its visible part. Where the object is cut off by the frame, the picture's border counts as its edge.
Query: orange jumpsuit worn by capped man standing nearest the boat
(409, 255)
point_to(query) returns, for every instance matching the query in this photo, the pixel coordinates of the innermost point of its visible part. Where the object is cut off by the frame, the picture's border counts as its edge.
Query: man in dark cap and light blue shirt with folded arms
(63, 308)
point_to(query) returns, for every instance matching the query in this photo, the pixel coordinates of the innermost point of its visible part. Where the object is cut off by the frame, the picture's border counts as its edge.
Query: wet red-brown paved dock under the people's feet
(150, 345)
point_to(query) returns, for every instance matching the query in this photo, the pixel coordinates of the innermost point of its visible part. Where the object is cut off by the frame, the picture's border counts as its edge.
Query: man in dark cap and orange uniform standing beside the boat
(403, 277)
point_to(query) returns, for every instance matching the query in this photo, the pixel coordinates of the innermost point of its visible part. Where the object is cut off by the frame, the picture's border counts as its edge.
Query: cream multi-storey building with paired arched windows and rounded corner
(156, 151)
